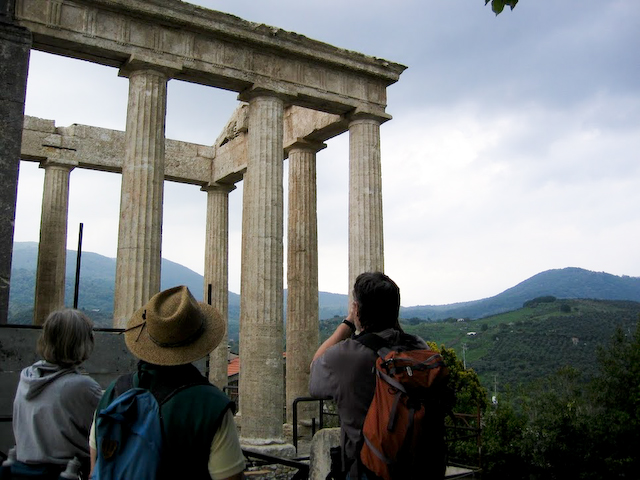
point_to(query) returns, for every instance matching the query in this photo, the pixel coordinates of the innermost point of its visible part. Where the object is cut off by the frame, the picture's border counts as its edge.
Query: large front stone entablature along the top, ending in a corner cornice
(211, 48)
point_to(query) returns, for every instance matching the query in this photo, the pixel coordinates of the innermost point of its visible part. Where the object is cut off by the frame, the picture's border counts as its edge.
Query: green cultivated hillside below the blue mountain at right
(531, 342)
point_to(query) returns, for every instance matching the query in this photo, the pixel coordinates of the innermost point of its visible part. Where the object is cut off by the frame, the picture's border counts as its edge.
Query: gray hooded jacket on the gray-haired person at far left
(52, 413)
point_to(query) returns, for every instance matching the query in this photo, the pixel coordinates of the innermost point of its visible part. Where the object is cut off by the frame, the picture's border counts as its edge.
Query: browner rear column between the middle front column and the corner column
(302, 275)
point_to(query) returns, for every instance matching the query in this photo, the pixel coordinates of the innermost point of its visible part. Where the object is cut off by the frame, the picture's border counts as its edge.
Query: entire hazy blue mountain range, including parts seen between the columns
(98, 277)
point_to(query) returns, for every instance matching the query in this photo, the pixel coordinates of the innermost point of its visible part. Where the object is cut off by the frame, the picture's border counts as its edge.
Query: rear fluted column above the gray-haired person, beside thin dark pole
(52, 249)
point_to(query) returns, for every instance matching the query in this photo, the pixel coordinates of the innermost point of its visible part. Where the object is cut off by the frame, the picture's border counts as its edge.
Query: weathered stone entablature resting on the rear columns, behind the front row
(225, 162)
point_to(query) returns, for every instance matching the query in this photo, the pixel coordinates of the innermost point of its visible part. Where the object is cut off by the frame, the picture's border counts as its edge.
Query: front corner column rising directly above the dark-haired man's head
(366, 247)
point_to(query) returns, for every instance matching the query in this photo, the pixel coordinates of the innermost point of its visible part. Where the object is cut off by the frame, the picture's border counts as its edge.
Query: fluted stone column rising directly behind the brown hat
(140, 229)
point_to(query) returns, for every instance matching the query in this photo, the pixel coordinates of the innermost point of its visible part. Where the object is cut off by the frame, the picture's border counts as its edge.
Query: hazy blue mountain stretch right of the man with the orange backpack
(561, 283)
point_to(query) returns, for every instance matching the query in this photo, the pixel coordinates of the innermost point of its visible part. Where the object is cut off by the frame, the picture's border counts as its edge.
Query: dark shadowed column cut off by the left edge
(15, 46)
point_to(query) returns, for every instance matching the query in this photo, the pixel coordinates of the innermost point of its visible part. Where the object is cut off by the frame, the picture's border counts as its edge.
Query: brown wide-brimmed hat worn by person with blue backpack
(173, 329)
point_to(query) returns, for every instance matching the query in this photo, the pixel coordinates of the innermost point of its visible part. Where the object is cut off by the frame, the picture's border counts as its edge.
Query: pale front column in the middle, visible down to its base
(261, 304)
